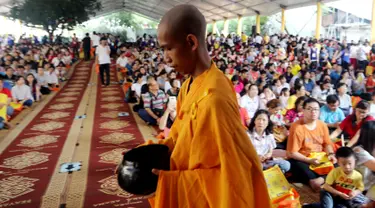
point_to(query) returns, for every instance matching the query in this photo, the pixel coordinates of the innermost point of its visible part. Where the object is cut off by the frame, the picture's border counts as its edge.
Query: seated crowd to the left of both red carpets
(29, 71)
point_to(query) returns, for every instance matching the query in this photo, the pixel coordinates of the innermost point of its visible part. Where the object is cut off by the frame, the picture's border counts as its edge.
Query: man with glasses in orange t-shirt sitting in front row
(306, 136)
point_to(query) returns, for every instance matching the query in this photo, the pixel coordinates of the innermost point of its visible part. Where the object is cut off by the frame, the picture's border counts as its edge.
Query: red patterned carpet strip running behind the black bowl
(111, 136)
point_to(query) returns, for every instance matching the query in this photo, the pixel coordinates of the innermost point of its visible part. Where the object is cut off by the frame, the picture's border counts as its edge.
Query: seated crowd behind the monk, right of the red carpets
(298, 95)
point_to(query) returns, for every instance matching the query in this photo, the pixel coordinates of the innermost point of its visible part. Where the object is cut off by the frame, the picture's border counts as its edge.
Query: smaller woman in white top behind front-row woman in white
(250, 101)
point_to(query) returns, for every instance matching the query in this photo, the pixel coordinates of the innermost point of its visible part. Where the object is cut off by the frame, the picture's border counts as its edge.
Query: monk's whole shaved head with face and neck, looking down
(181, 34)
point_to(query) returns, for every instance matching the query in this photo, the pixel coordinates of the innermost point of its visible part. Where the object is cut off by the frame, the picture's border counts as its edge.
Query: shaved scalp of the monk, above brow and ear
(183, 20)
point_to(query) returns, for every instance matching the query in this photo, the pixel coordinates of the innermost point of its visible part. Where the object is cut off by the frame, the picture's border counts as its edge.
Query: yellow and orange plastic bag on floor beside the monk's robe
(282, 195)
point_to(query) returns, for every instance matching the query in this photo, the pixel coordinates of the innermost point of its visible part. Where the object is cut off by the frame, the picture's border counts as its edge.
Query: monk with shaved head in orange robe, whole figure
(213, 163)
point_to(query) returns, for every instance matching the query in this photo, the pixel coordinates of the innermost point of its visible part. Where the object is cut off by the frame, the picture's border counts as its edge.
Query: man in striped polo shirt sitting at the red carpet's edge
(154, 103)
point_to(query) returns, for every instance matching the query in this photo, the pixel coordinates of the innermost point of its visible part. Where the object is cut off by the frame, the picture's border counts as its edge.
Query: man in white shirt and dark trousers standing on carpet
(102, 58)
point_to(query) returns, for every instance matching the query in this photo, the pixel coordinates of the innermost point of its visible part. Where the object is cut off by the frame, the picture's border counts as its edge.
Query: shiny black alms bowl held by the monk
(134, 173)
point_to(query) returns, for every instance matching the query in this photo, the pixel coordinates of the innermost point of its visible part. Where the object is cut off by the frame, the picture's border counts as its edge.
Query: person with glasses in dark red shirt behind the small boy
(352, 123)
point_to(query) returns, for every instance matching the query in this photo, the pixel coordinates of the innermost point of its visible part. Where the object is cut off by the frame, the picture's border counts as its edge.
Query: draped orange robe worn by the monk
(213, 163)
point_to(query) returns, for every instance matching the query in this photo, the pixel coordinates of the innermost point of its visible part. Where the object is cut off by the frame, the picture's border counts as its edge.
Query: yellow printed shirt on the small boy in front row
(345, 183)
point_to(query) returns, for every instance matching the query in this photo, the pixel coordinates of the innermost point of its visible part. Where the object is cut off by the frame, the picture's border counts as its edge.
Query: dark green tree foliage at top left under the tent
(52, 15)
